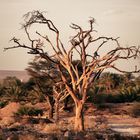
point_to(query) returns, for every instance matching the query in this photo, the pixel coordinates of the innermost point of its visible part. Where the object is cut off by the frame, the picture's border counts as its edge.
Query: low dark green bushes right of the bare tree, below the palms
(129, 94)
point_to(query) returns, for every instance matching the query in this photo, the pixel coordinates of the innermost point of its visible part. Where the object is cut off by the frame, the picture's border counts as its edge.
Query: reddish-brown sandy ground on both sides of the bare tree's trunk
(116, 118)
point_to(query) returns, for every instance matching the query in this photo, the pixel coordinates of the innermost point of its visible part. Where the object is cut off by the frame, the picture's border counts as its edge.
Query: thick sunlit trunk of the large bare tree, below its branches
(79, 117)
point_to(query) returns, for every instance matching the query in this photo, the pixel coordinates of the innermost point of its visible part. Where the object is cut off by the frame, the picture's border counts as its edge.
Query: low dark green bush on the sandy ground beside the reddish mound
(29, 111)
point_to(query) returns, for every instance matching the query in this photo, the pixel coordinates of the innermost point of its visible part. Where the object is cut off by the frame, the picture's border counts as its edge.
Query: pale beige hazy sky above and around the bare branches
(113, 18)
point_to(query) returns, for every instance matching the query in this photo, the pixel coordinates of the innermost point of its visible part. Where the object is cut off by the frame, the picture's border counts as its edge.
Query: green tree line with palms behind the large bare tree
(109, 88)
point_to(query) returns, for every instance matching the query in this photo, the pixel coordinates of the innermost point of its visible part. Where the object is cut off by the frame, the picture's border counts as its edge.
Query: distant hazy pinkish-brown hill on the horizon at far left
(22, 75)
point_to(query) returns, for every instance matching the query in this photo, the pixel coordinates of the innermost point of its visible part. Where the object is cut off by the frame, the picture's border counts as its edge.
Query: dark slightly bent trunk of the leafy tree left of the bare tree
(51, 107)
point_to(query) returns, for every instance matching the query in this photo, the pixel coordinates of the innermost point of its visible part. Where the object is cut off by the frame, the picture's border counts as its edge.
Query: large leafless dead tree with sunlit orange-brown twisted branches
(92, 64)
